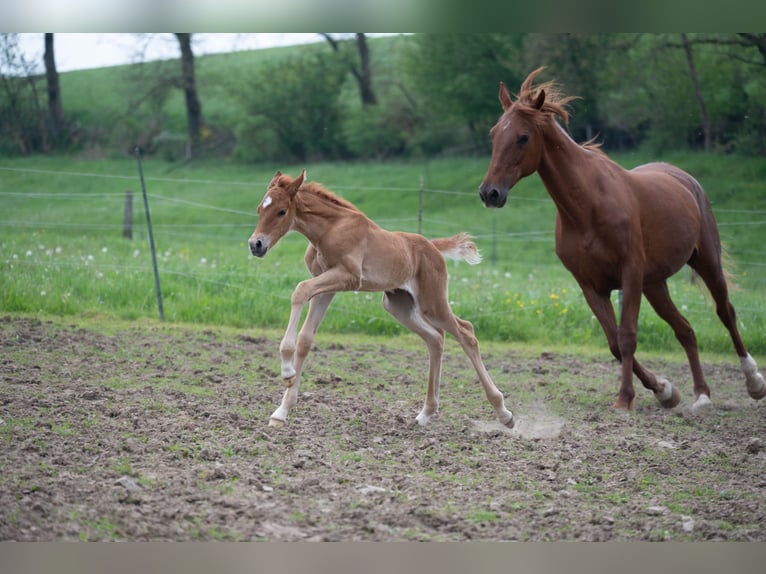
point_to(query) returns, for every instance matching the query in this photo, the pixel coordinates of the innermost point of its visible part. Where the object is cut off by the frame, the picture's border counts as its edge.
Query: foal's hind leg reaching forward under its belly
(402, 306)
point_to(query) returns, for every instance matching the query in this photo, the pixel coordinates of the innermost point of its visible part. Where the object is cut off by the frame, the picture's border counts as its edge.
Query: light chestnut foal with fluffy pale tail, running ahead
(348, 252)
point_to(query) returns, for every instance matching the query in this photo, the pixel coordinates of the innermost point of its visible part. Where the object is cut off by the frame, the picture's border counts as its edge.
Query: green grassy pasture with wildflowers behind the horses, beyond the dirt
(62, 251)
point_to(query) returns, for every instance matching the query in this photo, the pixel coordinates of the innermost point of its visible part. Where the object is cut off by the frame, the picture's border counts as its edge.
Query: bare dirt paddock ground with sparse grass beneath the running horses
(155, 432)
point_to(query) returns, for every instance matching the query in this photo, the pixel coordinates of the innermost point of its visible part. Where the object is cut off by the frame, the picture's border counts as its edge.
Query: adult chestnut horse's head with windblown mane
(517, 137)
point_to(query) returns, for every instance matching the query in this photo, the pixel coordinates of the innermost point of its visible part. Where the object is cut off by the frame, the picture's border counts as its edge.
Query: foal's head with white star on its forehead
(275, 213)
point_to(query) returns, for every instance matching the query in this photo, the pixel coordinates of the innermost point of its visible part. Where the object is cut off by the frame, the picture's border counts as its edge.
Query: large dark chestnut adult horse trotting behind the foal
(616, 229)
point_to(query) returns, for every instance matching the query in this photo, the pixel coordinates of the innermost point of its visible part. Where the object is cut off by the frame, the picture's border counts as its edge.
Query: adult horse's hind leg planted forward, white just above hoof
(659, 298)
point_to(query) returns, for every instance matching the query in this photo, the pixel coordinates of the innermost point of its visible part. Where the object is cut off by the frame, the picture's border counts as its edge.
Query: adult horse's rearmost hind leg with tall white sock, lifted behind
(712, 274)
